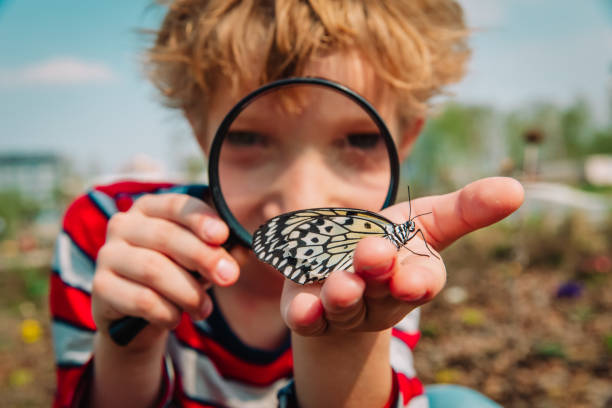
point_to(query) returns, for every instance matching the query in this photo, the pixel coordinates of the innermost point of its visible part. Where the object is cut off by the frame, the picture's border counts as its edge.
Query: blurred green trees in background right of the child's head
(462, 142)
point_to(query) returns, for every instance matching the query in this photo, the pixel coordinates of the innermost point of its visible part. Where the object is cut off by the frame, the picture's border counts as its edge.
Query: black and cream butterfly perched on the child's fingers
(307, 245)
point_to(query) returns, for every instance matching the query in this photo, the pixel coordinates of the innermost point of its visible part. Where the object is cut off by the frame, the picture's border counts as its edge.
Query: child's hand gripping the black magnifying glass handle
(143, 269)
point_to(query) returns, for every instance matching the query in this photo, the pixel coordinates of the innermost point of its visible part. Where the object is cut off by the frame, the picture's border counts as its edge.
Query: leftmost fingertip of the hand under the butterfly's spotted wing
(302, 309)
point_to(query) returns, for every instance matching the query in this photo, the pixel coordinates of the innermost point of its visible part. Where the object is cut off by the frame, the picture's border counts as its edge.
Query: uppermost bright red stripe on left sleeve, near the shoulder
(86, 225)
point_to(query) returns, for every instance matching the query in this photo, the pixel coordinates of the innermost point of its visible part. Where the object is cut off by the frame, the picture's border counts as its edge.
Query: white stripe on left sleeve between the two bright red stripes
(74, 267)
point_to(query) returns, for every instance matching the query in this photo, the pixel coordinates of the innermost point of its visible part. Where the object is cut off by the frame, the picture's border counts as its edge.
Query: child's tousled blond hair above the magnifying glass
(414, 46)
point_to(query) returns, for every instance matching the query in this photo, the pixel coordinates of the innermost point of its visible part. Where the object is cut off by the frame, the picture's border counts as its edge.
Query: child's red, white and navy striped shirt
(206, 364)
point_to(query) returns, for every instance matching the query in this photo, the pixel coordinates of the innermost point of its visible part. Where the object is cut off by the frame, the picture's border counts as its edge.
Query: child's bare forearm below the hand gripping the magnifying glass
(125, 378)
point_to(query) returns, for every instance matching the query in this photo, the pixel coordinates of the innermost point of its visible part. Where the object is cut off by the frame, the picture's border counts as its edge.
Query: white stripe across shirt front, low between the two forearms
(201, 380)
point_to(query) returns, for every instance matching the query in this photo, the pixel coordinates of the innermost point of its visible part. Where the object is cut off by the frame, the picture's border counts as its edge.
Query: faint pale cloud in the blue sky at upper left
(57, 71)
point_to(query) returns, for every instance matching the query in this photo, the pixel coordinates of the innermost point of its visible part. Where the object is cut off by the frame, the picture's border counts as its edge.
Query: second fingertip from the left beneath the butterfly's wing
(342, 298)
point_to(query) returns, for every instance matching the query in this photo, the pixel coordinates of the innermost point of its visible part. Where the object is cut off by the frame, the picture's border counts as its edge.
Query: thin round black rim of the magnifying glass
(221, 206)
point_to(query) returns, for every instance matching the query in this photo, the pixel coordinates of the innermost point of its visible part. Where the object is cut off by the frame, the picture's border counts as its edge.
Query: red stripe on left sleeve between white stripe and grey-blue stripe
(70, 304)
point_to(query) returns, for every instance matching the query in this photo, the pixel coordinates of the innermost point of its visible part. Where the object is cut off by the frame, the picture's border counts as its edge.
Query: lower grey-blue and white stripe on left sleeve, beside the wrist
(71, 344)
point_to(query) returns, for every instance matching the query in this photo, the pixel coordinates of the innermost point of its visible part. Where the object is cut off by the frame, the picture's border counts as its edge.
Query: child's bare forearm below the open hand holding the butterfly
(347, 370)
